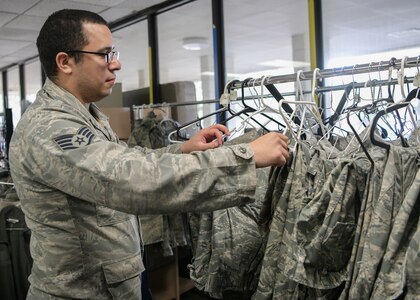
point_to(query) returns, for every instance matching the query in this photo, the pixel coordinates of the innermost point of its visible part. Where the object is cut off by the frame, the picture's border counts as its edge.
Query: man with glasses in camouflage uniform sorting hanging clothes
(80, 187)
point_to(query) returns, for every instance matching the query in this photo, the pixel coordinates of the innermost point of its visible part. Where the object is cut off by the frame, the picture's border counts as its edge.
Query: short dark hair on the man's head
(63, 31)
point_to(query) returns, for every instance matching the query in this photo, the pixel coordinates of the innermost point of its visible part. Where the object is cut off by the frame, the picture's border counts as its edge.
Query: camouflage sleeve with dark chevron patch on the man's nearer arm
(132, 180)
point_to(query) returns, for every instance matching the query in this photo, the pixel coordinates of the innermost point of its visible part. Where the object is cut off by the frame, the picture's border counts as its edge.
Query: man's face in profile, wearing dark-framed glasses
(93, 76)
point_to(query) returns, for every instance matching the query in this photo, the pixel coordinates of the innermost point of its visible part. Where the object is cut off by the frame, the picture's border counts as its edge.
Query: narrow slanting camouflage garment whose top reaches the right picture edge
(399, 173)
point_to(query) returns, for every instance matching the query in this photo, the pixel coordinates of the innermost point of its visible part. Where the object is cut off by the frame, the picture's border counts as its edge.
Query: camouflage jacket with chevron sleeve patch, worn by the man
(80, 188)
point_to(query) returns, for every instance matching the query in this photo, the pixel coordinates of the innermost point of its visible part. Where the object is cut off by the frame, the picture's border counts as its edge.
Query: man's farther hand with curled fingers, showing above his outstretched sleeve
(207, 138)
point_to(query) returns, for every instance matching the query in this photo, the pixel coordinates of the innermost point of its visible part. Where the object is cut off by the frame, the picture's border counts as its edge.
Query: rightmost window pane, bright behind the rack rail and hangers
(361, 32)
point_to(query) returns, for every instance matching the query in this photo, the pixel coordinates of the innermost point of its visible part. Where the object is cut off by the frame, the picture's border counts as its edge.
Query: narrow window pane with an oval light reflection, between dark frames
(186, 56)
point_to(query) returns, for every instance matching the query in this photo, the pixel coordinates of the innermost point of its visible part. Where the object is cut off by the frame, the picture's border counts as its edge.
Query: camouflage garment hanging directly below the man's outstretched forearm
(228, 245)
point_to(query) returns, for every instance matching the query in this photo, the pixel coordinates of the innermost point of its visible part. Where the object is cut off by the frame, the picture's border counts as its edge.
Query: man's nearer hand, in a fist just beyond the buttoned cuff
(270, 150)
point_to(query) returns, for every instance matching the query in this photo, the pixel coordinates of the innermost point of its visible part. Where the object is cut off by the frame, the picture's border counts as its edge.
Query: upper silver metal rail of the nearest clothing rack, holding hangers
(326, 73)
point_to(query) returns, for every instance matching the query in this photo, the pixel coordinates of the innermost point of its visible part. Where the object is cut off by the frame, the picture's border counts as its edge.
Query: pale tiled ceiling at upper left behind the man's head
(21, 20)
